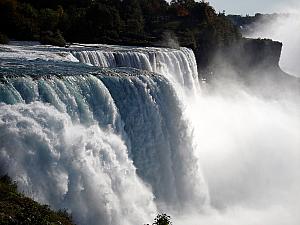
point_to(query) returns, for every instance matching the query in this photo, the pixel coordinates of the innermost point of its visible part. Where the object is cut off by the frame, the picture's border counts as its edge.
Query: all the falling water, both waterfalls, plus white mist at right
(118, 134)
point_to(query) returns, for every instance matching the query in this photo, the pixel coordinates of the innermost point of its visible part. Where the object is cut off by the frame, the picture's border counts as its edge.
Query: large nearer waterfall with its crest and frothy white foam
(111, 145)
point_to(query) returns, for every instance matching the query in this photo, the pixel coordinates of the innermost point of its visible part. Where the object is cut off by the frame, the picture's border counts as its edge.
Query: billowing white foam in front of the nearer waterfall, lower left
(83, 169)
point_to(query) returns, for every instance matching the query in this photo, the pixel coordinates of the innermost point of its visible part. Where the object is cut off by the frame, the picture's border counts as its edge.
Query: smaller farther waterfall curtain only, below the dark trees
(177, 65)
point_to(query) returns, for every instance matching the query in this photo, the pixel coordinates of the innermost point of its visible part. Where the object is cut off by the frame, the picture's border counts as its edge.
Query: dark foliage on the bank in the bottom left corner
(15, 208)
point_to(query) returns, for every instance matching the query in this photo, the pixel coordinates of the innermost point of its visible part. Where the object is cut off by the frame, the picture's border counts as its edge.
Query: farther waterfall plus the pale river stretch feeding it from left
(177, 65)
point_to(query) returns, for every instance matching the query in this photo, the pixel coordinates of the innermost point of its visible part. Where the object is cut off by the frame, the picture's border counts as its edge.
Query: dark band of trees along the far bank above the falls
(129, 22)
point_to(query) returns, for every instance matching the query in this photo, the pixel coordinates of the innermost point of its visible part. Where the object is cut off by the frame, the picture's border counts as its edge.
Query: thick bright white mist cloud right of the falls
(249, 154)
